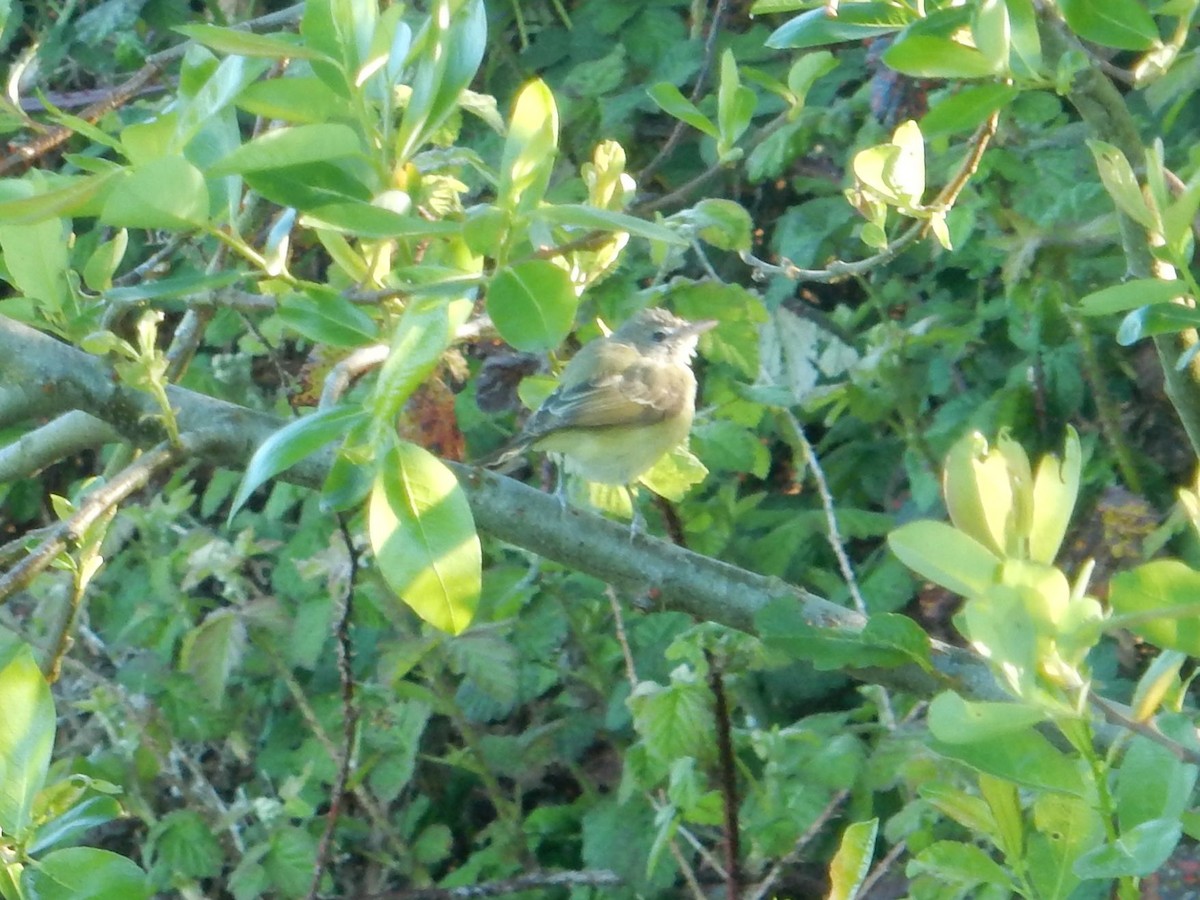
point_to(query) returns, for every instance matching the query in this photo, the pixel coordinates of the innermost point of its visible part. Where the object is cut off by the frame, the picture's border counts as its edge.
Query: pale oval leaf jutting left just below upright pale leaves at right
(946, 556)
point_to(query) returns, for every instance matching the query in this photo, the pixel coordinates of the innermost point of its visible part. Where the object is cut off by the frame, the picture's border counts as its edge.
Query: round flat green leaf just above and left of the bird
(533, 305)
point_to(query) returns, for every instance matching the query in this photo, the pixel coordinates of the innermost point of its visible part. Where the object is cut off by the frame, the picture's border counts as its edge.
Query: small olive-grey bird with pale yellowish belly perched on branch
(622, 404)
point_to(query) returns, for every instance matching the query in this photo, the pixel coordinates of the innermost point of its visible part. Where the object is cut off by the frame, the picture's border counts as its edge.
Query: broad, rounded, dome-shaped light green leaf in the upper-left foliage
(167, 194)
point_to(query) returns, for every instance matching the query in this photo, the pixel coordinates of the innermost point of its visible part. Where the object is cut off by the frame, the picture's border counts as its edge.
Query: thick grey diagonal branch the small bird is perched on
(67, 379)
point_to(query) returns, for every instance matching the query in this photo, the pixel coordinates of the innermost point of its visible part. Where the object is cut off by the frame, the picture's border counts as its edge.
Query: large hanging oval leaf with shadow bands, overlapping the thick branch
(424, 537)
